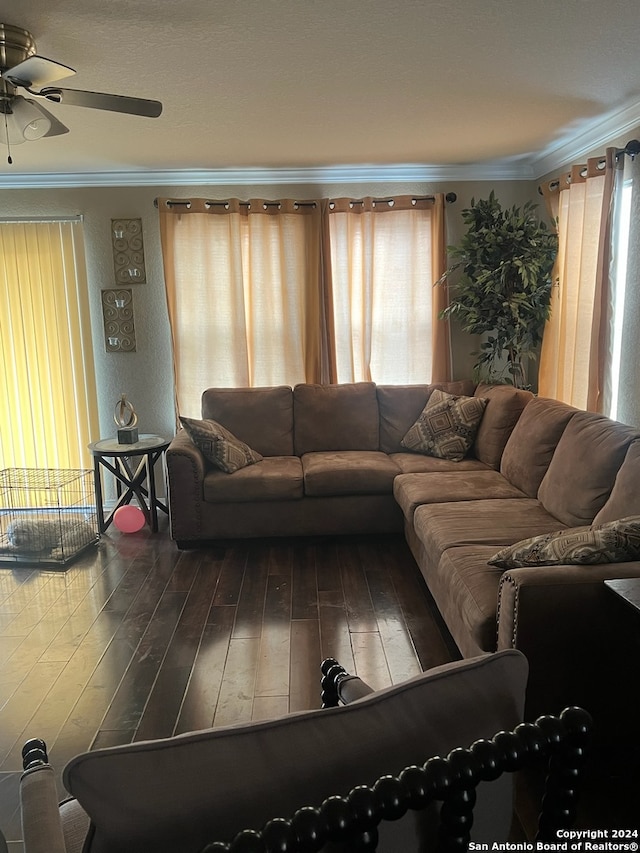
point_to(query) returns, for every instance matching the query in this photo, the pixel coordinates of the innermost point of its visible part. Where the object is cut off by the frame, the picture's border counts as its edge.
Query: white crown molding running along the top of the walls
(574, 144)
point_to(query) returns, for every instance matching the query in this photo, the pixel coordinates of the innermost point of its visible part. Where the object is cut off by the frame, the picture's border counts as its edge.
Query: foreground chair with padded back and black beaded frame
(377, 767)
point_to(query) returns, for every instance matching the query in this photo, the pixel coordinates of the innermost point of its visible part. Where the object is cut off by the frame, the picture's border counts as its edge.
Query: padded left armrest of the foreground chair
(41, 822)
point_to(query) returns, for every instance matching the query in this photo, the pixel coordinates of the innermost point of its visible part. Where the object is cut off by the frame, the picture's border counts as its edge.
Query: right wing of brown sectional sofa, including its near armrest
(564, 468)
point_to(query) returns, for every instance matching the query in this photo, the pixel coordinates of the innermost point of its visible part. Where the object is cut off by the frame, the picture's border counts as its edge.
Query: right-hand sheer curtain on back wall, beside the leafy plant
(385, 258)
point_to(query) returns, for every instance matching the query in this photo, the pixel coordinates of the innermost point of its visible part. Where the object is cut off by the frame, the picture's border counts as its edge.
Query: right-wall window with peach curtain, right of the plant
(589, 351)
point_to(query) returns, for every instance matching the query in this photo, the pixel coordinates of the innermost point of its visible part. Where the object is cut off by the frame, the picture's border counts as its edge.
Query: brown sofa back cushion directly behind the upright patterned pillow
(400, 407)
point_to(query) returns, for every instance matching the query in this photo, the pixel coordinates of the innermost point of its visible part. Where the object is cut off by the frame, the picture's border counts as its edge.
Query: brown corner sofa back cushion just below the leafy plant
(504, 407)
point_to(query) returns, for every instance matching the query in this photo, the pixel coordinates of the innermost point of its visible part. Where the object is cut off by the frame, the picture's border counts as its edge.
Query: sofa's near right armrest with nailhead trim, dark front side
(574, 632)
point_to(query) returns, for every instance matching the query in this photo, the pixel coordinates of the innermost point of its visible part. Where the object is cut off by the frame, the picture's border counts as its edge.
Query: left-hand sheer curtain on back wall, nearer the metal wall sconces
(244, 293)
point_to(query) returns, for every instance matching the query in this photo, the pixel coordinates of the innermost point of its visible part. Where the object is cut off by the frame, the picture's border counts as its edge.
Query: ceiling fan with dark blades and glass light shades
(24, 119)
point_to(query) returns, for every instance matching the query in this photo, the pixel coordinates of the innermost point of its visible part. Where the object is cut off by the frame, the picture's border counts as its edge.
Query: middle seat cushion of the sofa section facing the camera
(348, 472)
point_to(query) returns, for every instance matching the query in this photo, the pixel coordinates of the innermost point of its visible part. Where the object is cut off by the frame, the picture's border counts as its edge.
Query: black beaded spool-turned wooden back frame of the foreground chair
(354, 820)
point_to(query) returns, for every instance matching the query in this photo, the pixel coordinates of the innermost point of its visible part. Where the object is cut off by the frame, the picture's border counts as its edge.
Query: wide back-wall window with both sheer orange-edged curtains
(264, 293)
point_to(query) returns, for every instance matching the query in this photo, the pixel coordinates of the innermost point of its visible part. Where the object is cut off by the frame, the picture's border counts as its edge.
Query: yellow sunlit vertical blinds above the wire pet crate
(48, 405)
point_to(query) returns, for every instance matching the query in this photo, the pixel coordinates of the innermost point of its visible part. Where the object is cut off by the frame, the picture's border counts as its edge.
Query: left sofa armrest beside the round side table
(186, 468)
